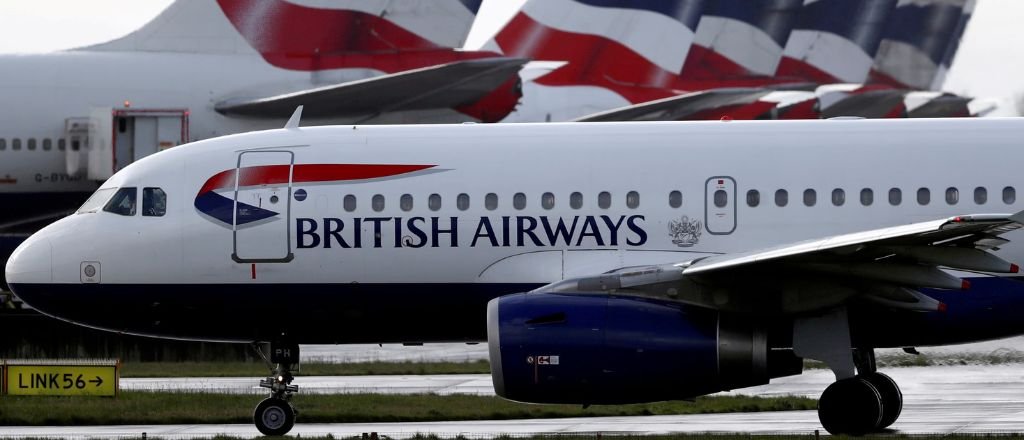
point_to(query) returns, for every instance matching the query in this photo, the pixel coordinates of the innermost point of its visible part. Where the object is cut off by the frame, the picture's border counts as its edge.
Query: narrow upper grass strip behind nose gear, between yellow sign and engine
(258, 370)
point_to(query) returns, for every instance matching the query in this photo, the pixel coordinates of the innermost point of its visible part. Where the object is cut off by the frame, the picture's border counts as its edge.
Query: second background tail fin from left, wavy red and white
(604, 42)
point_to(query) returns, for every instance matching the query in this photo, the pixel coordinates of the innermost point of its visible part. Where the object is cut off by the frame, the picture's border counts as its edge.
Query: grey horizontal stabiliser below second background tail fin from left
(678, 108)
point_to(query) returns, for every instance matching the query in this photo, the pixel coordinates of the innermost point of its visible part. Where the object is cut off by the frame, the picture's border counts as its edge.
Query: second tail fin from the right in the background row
(835, 41)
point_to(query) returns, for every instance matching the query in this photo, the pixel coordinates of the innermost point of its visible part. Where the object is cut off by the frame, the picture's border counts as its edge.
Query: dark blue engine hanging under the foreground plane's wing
(601, 349)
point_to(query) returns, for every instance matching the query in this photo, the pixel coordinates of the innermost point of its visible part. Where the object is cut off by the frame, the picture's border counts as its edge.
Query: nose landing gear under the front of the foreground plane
(276, 416)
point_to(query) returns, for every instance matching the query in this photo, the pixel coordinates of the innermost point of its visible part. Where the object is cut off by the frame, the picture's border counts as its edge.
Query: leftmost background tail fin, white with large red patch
(294, 36)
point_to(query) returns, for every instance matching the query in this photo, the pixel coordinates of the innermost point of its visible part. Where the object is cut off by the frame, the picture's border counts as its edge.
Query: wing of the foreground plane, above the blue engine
(887, 266)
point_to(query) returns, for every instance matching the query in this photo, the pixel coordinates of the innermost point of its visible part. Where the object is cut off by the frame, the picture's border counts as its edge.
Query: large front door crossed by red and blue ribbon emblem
(262, 226)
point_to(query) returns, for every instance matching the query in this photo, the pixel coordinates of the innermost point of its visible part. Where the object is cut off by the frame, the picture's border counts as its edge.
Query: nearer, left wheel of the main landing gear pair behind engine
(851, 407)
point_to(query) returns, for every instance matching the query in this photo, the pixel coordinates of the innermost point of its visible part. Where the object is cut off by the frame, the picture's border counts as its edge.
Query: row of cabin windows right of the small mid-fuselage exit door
(923, 197)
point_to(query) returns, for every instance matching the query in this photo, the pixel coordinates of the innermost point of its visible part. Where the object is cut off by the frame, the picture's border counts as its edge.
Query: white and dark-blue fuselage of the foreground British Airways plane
(355, 228)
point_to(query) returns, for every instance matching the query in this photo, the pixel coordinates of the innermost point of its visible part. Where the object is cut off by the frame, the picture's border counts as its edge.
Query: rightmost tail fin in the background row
(920, 42)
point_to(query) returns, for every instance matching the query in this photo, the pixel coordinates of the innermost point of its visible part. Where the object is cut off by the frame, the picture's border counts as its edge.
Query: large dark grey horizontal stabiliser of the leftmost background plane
(443, 86)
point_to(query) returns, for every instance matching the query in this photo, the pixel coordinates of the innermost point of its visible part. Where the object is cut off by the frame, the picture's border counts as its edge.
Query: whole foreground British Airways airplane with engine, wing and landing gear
(604, 263)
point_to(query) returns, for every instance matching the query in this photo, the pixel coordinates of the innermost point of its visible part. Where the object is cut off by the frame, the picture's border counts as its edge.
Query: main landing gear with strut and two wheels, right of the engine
(862, 401)
